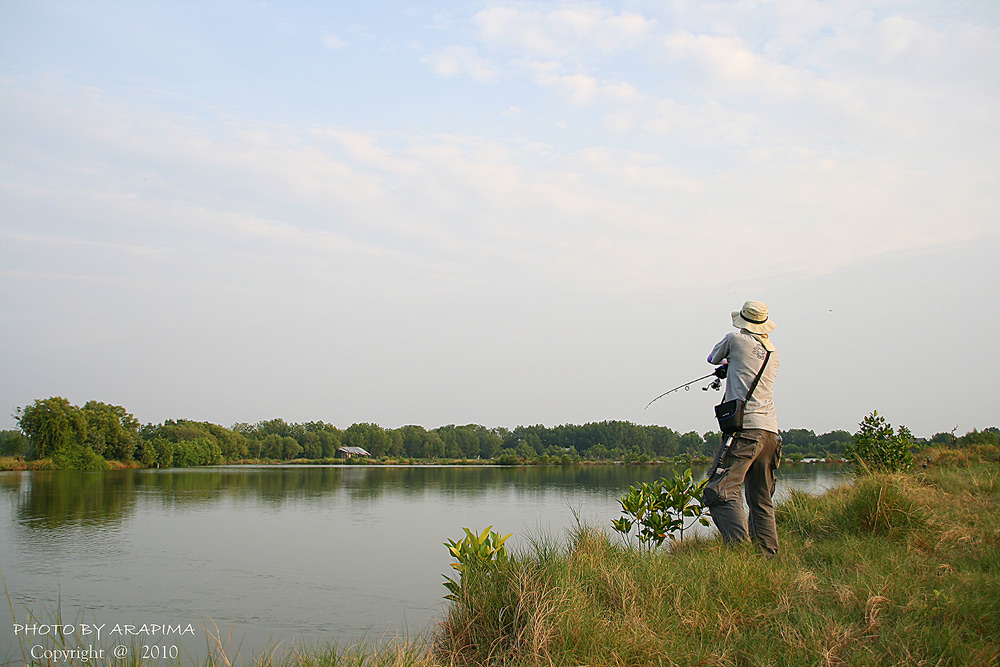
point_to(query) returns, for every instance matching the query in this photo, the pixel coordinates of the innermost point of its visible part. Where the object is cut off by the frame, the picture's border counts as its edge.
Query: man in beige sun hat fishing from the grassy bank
(749, 456)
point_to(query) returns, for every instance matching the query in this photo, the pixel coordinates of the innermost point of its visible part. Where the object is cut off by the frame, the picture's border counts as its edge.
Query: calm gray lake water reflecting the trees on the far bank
(287, 555)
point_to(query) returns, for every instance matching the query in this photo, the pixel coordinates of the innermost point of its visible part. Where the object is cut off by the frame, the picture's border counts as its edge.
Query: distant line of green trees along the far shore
(85, 437)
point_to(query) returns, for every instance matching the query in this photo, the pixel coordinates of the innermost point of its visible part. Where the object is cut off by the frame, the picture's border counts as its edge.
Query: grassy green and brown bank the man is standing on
(888, 569)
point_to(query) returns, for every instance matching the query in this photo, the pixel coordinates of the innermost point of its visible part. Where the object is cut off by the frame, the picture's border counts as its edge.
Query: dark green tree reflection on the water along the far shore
(49, 499)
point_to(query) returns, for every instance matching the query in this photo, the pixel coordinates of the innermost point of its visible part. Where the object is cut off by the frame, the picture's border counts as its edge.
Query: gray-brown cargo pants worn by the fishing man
(750, 463)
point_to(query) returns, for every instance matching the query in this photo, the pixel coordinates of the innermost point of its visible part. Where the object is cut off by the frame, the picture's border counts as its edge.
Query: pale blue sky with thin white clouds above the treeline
(494, 212)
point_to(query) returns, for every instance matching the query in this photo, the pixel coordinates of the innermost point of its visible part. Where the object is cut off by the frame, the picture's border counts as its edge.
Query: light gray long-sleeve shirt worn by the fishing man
(745, 354)
